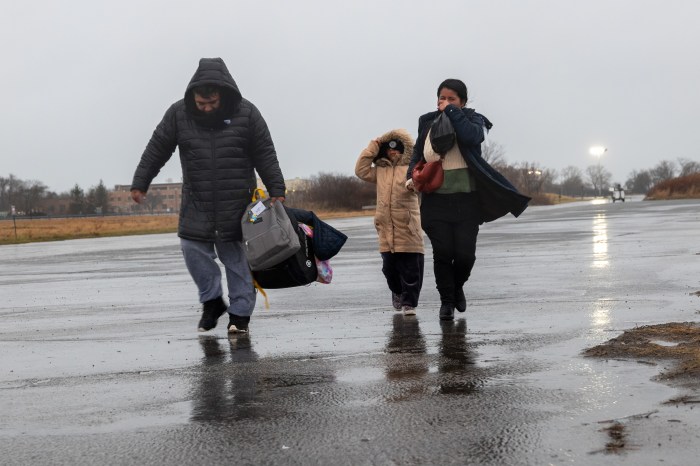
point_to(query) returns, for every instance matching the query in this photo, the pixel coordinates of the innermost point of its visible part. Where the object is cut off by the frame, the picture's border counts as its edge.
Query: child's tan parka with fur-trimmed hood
(397, 216)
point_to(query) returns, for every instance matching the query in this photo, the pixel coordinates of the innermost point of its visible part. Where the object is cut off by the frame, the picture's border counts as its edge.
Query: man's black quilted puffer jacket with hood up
(219, 154)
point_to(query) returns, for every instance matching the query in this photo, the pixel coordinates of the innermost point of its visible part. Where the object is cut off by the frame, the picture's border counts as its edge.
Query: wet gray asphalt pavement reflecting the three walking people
(102, 364)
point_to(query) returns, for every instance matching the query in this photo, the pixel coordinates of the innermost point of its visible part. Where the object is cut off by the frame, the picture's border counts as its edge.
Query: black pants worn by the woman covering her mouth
(451, 221)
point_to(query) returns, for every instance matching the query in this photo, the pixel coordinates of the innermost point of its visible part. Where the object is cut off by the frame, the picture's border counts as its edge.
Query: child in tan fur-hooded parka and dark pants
(397, 217)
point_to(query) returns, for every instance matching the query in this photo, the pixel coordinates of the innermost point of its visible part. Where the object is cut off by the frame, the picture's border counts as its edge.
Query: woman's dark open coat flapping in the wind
(496, 195)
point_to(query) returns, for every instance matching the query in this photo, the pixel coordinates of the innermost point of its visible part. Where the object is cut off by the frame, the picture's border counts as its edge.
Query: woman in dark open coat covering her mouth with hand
(473, 192)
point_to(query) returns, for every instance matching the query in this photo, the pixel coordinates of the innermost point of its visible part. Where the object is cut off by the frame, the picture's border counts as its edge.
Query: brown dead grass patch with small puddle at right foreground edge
(677, 341)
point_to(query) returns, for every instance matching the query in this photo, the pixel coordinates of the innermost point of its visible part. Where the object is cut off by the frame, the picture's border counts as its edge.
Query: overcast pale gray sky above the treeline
(86, 81)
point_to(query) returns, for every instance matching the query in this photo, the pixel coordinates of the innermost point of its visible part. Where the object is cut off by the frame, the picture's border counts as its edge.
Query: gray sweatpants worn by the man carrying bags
(200, 258)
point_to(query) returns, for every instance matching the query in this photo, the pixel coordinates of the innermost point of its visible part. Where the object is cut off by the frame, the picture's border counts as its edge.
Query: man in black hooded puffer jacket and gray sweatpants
(222, 139)
